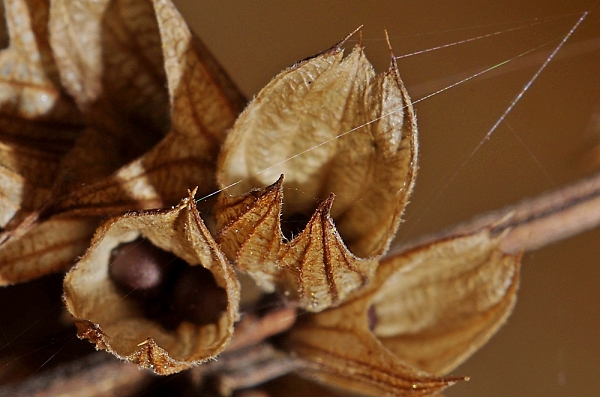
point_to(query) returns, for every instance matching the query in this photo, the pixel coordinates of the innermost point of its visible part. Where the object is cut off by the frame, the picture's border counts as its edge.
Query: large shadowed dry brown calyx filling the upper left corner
(115, 58)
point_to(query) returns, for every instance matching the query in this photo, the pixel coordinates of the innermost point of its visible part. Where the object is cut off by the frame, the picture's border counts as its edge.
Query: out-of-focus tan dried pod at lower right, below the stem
(429, 308)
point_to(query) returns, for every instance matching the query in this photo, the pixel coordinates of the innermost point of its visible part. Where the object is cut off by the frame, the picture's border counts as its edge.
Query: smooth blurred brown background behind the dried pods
(551, 344)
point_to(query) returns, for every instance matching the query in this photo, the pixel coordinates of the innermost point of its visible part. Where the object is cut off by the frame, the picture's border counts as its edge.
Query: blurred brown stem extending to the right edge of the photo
(535, 222)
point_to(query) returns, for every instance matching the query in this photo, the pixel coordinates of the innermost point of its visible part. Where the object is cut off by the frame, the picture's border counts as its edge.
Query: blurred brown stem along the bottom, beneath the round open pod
(248, 361)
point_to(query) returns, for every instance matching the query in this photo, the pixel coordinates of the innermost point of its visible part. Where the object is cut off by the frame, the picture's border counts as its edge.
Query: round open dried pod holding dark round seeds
(120, 326)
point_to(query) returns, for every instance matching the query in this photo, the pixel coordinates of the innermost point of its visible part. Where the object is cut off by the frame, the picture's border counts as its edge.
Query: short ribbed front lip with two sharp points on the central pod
(315, 269)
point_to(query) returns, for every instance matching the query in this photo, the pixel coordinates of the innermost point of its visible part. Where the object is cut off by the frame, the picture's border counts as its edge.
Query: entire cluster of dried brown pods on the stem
(89, 131)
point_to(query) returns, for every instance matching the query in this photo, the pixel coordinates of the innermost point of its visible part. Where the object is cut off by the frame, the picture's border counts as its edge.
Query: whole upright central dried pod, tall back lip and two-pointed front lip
(331, 125)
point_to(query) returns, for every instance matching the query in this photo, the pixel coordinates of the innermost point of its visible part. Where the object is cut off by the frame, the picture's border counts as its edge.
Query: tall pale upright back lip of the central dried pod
(357, 135)
